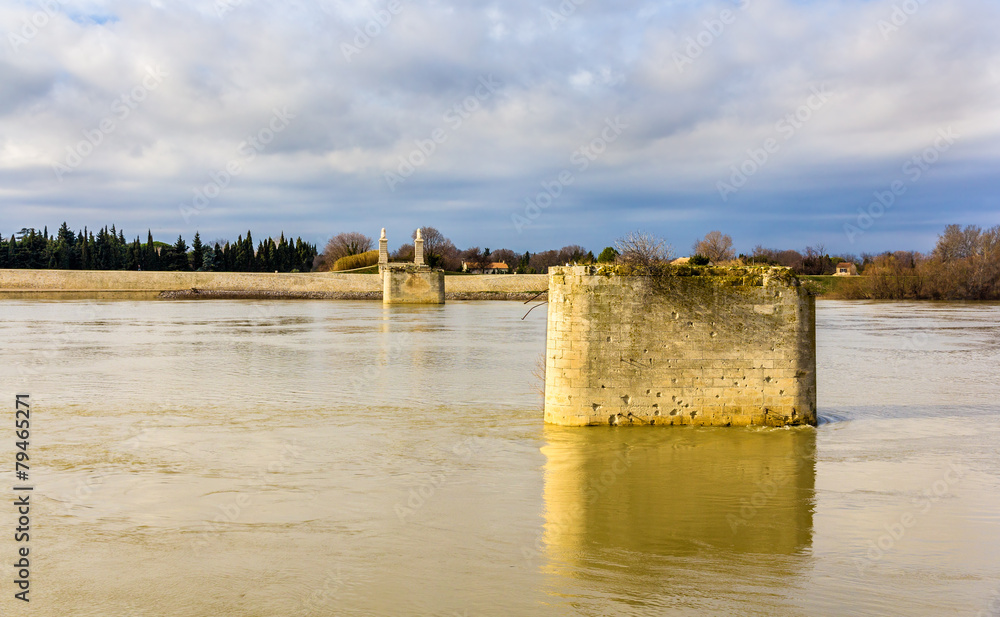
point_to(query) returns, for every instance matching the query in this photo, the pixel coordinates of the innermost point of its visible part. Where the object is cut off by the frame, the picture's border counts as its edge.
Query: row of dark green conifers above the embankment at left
(109, 250)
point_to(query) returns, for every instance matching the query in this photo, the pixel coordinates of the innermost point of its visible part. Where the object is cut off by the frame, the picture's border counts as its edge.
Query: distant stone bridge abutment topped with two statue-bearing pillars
(409, 283)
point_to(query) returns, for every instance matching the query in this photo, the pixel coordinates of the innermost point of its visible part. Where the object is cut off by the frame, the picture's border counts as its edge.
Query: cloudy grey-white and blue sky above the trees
(859, 125)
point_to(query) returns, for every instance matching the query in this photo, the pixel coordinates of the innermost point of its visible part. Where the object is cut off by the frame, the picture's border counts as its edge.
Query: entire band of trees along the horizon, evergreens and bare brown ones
(965, 263)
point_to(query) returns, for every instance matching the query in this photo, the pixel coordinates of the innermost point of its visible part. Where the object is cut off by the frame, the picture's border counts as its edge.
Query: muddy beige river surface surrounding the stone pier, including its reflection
(344, 458)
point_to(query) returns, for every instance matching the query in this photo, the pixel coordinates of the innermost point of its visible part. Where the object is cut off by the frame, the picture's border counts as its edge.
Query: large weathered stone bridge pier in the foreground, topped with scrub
(712, 346)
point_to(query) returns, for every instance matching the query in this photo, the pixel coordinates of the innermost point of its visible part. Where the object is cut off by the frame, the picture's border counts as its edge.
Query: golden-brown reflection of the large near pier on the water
(648, 514)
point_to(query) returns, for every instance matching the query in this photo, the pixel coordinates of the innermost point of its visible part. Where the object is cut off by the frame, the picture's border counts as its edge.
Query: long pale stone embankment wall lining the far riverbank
(117, 284)
